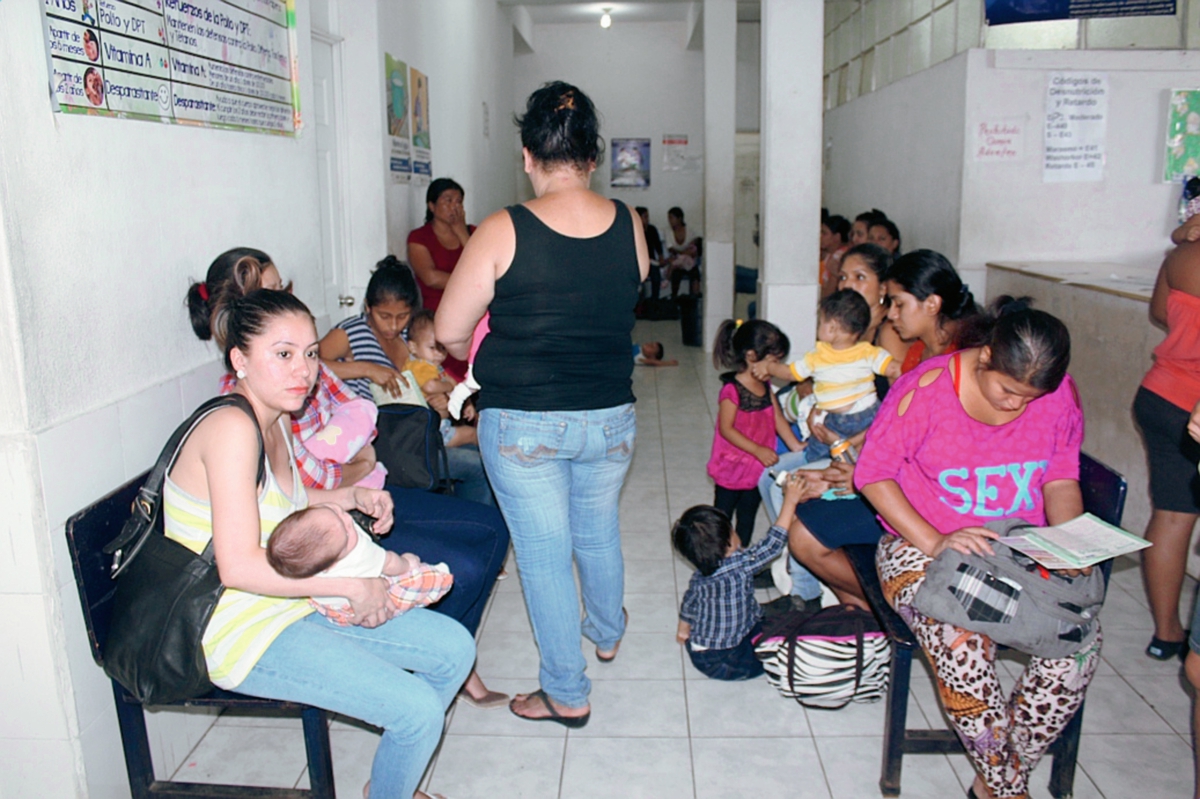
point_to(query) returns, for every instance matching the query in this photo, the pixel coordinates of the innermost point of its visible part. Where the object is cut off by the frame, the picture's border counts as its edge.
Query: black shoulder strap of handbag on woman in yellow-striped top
(148, 504)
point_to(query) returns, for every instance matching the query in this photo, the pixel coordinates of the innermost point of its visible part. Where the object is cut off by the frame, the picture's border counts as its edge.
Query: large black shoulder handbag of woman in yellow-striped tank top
(165, 592)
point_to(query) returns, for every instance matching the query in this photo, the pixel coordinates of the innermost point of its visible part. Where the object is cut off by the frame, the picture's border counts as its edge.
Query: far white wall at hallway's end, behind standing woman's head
(645, 83)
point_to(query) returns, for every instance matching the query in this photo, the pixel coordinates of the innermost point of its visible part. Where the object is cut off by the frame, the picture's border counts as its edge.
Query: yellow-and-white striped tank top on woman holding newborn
(244, 624)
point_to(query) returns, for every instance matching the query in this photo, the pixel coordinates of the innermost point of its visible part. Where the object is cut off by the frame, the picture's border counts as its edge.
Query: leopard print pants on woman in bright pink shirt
(1005, 737)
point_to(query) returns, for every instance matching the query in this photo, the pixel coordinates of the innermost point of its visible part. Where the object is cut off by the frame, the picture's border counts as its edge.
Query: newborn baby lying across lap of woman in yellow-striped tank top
(325, 542)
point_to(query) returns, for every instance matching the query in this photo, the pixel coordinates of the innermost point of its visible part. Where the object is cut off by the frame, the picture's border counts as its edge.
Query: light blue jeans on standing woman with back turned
(557, 477)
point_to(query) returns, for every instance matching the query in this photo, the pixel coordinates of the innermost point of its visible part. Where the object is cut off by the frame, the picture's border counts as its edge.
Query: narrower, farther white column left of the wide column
(721, 74)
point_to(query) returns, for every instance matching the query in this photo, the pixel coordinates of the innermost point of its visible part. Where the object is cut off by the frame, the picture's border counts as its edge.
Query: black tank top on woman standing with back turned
(562, 321)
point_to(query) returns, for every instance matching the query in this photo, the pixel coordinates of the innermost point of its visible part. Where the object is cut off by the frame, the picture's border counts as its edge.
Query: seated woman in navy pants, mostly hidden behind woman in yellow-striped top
(469, 537)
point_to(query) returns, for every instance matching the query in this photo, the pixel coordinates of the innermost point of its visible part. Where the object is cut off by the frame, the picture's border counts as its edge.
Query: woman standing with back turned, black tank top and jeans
(561, 277)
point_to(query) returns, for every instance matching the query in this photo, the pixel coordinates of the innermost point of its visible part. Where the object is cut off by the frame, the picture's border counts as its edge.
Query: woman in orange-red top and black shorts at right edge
(1168, 394)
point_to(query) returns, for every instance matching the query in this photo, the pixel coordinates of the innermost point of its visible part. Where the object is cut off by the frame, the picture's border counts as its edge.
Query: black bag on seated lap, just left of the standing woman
(410, 446)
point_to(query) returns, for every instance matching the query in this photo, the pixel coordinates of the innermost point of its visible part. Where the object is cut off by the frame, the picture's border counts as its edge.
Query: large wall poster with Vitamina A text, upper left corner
(226, 64)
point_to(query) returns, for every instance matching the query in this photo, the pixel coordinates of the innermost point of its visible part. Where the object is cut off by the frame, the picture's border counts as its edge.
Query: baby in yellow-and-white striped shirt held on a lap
(843, 370)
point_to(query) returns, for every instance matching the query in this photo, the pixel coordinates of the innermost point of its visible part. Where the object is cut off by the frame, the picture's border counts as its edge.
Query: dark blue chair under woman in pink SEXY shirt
(1105, 496)
